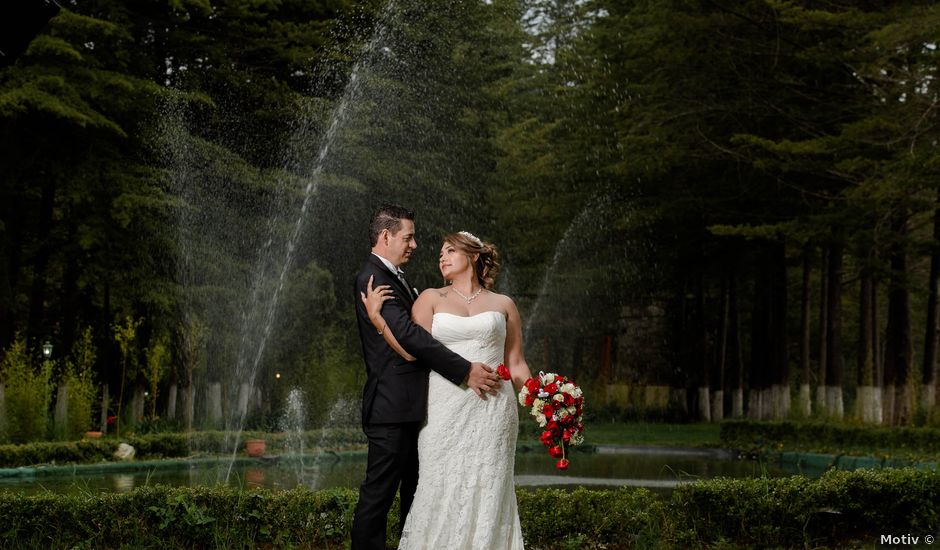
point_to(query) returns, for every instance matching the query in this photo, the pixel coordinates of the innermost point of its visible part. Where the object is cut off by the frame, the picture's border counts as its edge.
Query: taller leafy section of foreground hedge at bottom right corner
(841, 508)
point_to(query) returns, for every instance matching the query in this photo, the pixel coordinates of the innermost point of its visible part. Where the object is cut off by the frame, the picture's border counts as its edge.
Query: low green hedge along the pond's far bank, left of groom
(167, 445)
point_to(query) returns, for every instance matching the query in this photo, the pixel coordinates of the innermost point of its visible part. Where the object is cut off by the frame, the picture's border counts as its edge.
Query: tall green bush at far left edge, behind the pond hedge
(27, 394)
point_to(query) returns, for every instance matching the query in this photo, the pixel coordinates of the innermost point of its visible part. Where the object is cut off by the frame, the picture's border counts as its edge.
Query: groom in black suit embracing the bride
(394, 400)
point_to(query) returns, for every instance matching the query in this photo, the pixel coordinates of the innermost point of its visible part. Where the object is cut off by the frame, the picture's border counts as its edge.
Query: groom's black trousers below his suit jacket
(392, 464)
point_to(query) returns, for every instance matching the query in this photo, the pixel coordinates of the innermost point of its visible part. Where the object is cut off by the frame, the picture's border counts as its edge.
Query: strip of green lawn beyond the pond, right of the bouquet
(649, 433)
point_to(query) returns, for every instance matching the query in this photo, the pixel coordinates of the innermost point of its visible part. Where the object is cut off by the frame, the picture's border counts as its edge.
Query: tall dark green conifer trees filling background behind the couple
(156, 156)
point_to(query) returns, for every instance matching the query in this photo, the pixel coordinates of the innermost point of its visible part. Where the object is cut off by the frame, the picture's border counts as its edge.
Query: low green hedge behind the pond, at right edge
(754, 436)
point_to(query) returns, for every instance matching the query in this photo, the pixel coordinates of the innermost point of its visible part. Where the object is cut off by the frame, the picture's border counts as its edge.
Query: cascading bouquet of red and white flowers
(556, 403)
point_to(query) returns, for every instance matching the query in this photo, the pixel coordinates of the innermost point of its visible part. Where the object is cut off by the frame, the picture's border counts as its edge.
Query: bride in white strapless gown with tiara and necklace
(465, 496)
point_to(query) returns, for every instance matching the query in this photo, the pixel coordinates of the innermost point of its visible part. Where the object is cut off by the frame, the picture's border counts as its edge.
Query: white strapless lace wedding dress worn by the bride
(465, 497)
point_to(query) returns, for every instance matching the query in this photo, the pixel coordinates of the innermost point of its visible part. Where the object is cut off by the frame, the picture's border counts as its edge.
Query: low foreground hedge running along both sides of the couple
(841, 508)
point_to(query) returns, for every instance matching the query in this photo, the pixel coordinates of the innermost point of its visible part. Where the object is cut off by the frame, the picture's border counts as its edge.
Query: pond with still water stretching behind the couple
(657, 468)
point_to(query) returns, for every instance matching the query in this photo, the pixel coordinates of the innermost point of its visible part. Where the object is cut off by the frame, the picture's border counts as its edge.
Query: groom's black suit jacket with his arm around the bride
(397, 390)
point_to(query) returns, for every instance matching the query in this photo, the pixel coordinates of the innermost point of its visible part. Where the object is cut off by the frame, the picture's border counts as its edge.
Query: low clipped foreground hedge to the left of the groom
(162, 517)
